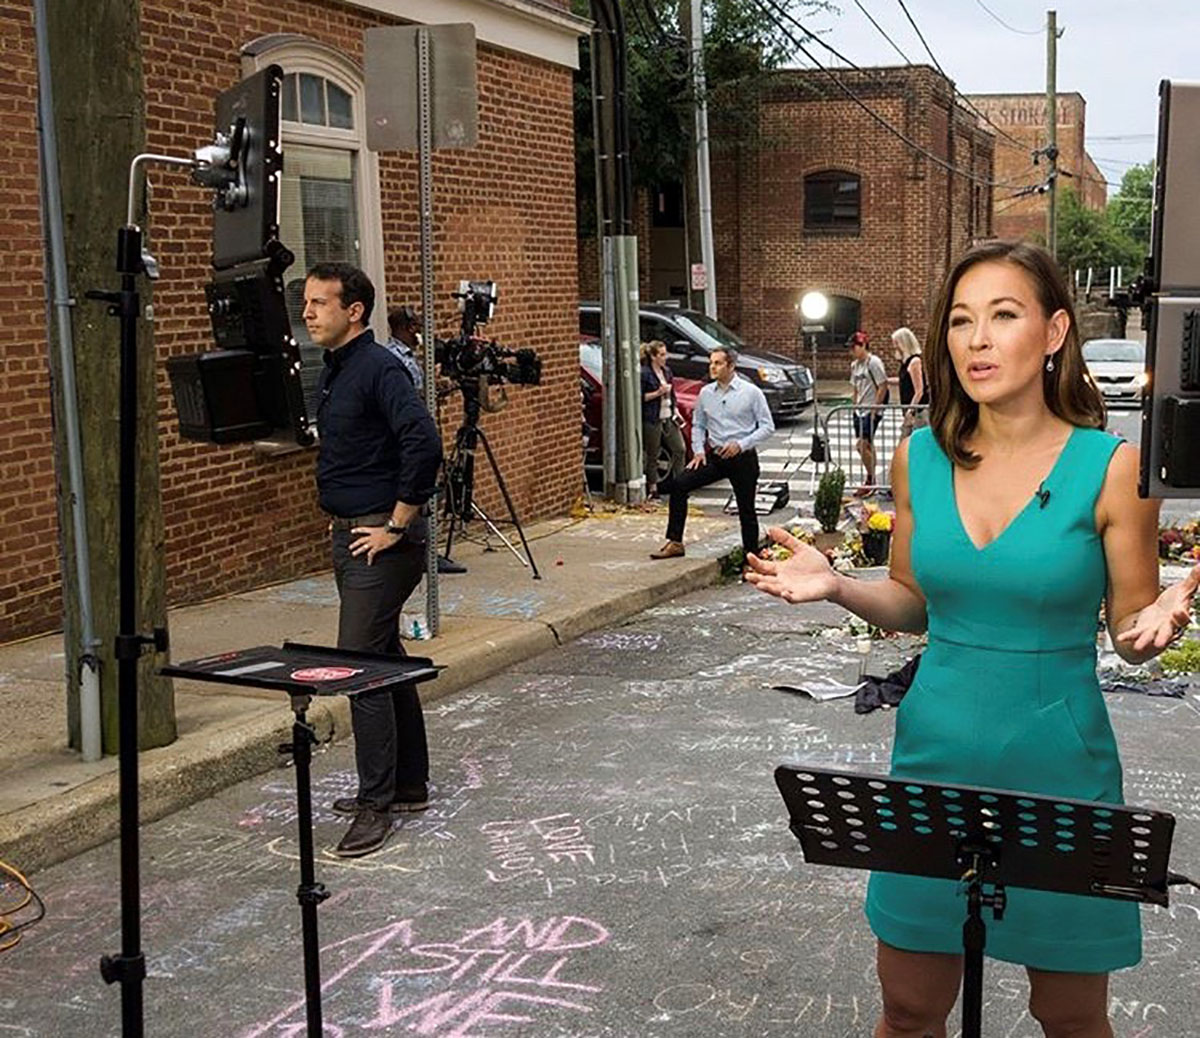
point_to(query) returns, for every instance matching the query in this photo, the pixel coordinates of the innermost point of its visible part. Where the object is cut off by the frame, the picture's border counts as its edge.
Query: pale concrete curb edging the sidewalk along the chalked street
(207, 761)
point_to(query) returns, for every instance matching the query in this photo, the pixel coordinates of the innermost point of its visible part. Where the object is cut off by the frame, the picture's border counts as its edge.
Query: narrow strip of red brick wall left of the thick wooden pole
(31, 592)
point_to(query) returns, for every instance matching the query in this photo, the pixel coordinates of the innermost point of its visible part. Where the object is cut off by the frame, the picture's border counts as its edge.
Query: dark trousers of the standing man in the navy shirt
(389, 728)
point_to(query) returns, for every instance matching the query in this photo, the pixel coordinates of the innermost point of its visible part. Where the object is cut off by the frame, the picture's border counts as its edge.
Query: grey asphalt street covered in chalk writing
(607, 856)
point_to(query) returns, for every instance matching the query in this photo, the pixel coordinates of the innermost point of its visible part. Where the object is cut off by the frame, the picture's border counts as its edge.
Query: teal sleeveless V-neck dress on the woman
(1007, 697)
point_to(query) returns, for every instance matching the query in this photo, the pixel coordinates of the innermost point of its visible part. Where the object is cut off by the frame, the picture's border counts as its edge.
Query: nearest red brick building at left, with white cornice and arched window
(503, 211)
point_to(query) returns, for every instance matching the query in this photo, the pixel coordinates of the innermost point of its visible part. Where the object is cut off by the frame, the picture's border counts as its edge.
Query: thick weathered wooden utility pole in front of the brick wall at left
(95, 63)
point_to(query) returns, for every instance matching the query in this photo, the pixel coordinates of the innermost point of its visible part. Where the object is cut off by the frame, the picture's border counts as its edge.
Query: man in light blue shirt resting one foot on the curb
(730, 421)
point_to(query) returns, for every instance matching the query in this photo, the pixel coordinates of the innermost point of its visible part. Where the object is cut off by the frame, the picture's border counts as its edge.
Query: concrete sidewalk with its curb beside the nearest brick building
(596, 572)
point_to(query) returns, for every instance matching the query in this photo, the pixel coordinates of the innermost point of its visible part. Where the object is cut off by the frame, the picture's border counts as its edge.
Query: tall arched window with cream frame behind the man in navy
(329, 196)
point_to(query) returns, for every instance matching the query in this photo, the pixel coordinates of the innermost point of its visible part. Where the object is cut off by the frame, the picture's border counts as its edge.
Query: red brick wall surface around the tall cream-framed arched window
(235, 519)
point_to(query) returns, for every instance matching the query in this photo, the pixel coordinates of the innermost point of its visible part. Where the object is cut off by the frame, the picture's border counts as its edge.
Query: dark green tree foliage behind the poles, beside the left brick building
(742, 45)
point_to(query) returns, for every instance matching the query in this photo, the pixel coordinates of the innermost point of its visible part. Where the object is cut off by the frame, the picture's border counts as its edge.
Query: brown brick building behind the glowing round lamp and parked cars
(835, 202)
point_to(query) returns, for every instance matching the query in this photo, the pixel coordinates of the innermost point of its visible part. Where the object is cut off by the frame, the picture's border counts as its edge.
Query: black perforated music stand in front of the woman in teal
(979, 837)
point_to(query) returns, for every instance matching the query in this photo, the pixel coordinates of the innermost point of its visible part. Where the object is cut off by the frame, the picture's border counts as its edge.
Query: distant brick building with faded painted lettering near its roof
(1023, 121)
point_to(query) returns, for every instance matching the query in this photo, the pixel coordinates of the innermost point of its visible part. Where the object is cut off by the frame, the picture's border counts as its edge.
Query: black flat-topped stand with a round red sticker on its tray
(303, 673)
